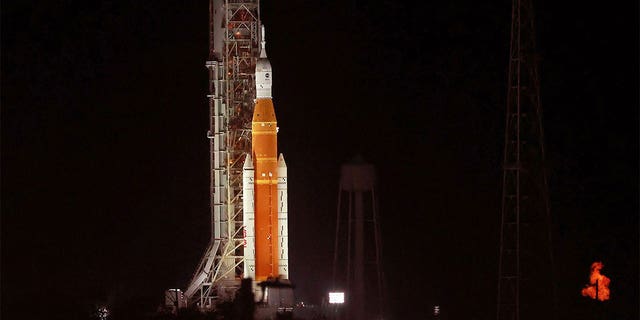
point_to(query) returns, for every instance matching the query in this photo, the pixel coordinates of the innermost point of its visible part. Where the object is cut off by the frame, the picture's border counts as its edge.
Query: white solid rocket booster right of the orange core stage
(283, 219)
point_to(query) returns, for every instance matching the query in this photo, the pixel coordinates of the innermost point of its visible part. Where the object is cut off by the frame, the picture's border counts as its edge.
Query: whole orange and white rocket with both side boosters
(265, 213)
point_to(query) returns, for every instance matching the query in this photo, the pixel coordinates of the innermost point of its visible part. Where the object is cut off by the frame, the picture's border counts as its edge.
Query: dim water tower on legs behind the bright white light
(356, 264)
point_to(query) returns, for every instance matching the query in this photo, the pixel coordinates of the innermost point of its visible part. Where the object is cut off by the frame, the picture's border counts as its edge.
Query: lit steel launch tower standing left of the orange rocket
(234, 47)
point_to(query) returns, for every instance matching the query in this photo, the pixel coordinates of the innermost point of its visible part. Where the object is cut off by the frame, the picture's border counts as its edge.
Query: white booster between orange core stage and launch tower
(248, 216)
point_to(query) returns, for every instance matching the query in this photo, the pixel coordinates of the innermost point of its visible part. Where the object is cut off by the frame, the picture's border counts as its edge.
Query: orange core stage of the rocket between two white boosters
(264, 144)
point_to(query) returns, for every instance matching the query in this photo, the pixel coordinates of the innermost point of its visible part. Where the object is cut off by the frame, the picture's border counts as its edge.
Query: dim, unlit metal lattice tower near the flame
(525, 281)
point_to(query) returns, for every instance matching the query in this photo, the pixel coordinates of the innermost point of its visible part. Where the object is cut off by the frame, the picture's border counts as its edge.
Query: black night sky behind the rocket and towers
(105, 156)
